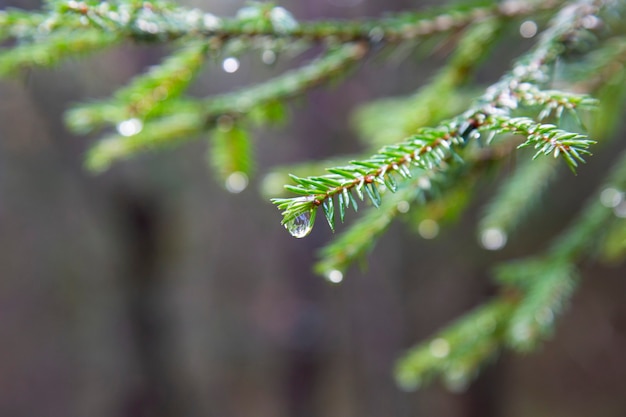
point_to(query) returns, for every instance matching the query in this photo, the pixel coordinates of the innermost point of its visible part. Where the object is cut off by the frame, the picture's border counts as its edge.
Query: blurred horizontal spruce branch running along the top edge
(160, 21)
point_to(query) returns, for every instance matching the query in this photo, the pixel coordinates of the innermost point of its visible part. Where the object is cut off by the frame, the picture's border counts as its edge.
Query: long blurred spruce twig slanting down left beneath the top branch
(192, 118)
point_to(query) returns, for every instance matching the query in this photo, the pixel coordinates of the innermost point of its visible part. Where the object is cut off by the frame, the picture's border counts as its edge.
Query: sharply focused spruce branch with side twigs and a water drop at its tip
(433, 149)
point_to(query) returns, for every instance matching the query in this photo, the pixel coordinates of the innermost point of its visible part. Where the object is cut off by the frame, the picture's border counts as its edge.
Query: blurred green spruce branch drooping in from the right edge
(547, 282)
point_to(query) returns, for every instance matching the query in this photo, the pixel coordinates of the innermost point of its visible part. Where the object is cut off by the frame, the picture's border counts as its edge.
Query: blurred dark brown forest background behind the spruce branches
(151, 291)
